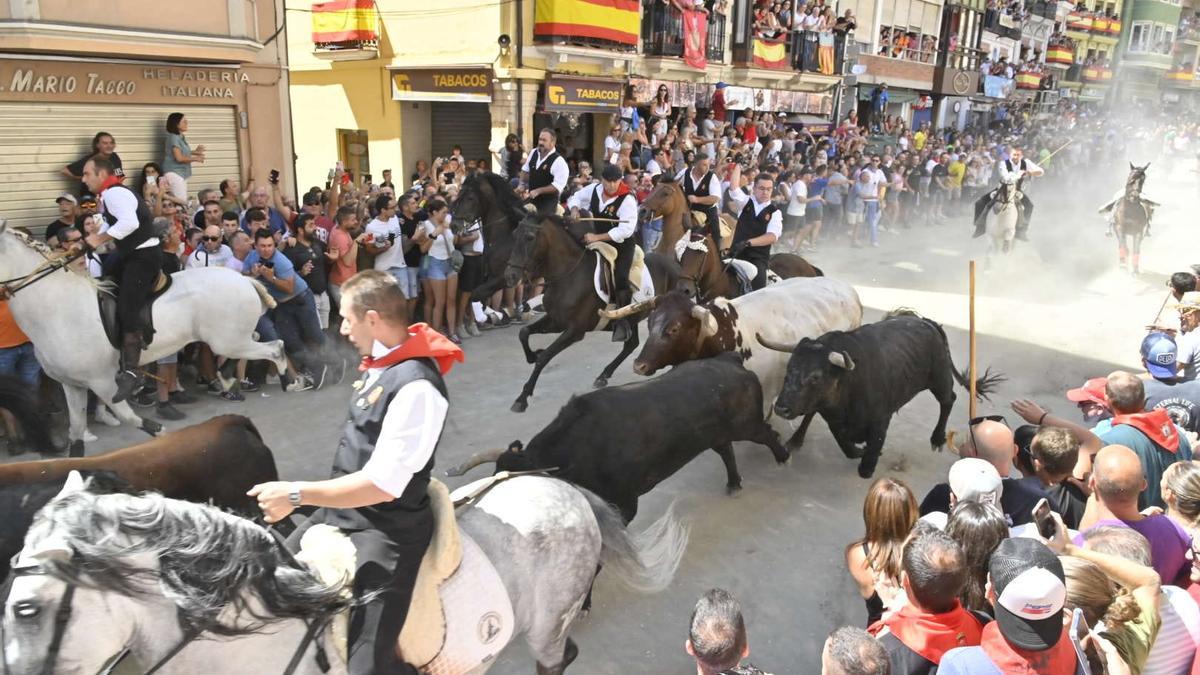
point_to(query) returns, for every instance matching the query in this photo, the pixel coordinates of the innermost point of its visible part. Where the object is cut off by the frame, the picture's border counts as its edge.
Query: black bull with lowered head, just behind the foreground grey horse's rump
(623, 441)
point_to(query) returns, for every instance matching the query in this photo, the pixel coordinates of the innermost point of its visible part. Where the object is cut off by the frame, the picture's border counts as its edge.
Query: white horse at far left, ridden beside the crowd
(61, 314)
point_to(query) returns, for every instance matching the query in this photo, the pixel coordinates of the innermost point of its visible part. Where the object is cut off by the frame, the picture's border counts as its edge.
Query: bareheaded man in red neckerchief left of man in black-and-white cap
(932, 622)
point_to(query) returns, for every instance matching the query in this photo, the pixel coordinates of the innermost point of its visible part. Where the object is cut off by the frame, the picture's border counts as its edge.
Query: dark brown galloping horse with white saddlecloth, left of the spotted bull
(551, 248)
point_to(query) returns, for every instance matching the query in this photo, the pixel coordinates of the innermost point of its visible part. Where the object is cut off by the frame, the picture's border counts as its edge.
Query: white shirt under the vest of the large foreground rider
(410, 433)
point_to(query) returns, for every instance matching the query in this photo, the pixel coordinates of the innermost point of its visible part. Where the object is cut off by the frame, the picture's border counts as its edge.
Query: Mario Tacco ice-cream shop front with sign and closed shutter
(52, 109)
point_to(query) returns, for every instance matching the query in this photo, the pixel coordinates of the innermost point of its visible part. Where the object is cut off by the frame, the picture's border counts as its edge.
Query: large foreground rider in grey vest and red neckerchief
(382, 468)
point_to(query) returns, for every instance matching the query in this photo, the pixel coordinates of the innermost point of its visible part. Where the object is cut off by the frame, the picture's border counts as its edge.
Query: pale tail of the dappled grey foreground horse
(645, 561)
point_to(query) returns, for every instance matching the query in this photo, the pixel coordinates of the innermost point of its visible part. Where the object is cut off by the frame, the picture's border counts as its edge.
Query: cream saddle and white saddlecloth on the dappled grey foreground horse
(460, 614)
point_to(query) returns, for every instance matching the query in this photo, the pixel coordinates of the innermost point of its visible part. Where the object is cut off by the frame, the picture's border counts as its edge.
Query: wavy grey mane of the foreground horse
(209, 561)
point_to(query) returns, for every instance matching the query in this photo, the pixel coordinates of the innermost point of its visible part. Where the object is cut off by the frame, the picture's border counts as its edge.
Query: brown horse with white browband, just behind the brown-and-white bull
(703, 272)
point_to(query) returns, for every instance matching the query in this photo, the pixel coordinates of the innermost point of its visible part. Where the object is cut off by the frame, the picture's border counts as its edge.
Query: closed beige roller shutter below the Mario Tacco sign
(38, 140)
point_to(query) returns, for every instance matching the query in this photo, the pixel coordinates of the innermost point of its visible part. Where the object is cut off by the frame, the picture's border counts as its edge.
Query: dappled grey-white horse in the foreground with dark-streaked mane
(189, 589)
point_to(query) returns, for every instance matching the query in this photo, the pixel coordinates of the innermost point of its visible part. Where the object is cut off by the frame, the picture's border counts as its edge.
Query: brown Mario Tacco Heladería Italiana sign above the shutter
(87, 82)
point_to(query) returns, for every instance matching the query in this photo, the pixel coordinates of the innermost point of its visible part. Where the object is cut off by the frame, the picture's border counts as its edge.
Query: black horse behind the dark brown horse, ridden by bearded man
(489, 199)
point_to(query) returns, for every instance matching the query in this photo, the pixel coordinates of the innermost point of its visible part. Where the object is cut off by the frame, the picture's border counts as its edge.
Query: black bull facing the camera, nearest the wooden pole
(859, 380)
